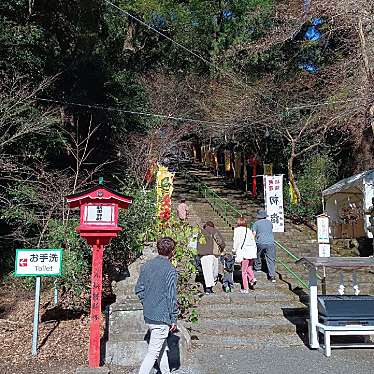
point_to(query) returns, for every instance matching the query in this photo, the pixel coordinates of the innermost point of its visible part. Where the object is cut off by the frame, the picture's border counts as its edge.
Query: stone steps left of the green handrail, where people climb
(269, 316)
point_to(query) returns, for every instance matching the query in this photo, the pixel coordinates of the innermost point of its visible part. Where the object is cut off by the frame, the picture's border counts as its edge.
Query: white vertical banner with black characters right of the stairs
(274, 201)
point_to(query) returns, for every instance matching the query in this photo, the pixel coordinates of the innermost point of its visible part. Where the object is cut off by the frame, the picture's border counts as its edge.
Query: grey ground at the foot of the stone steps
(292, 360)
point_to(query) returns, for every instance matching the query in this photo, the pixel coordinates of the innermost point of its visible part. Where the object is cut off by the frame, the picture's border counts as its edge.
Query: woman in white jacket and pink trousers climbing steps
(246, 252)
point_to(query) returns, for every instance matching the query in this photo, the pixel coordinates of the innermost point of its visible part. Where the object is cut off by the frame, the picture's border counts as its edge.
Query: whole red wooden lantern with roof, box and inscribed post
(98, 225)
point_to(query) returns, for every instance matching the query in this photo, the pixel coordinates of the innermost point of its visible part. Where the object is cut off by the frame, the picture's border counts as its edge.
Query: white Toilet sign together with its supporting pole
(37, 263)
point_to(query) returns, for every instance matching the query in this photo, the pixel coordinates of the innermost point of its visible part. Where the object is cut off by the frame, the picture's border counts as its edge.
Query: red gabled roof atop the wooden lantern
(99, 194)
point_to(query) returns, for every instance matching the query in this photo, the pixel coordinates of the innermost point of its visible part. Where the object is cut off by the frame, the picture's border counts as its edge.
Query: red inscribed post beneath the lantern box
(95, 315)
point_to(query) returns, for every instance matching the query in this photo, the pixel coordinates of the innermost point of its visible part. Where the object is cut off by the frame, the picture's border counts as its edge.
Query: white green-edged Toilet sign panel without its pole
(38, 262)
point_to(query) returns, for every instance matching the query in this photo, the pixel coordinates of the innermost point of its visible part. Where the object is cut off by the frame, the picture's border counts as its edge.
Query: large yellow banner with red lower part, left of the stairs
(164, 191)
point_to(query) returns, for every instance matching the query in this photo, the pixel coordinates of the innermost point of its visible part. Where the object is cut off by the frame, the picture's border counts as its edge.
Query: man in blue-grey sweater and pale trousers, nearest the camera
(157, 291)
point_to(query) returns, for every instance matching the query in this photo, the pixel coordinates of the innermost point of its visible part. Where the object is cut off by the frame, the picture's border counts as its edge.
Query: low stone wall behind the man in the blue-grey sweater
(127, 335)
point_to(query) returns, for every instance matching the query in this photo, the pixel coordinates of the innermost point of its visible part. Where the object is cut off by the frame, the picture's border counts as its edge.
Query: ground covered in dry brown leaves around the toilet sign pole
(63, 342)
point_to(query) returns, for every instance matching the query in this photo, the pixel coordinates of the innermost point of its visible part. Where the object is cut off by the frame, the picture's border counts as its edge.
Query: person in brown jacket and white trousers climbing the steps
(209, 251)
